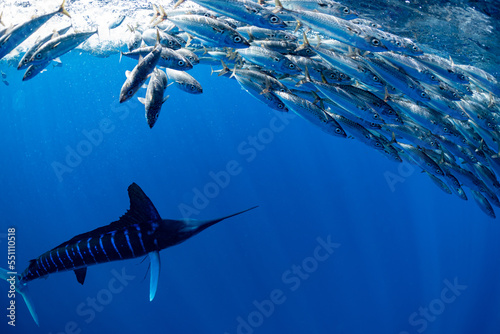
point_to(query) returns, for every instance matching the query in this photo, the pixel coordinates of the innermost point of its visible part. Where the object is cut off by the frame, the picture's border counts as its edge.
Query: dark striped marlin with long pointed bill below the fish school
(140, 231)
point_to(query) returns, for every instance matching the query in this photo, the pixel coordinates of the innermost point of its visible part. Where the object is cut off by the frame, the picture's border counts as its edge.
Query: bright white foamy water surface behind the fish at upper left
(85, 16)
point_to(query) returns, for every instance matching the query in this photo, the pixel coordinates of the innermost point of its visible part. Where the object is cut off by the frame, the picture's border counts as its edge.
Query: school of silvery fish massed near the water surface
(321, 60)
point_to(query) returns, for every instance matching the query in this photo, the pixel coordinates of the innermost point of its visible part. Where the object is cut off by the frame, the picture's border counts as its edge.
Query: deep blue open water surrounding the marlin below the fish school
(343, 241)
